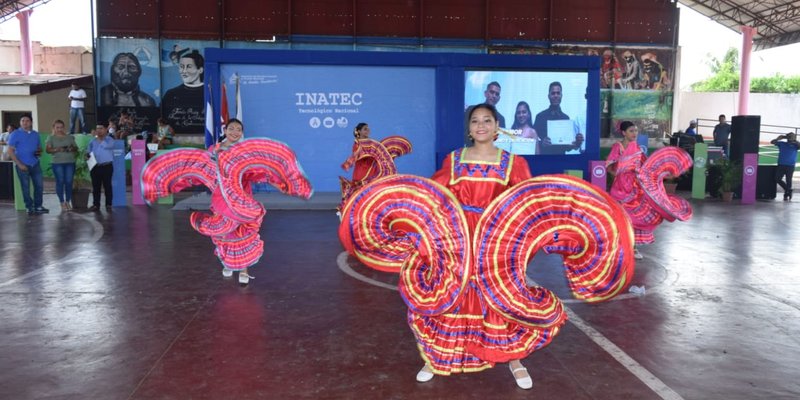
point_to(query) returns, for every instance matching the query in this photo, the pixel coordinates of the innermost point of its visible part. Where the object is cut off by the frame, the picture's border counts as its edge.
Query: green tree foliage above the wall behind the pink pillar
(726, 78)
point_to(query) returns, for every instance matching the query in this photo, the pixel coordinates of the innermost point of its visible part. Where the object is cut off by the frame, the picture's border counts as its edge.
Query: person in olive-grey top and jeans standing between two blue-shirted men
(63, 148)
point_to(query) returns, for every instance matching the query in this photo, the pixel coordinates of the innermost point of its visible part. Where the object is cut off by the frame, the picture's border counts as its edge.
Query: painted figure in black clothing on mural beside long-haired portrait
(182, 106)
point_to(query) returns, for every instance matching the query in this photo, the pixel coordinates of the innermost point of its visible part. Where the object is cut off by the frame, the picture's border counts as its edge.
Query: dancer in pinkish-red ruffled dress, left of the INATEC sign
(229, 169)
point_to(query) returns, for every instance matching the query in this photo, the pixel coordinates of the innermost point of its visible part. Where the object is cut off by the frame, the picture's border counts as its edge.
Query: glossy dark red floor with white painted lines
(131, 305)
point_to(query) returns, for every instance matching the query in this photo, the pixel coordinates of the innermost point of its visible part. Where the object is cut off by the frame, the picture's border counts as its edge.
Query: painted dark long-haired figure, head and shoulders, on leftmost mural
(124, 90)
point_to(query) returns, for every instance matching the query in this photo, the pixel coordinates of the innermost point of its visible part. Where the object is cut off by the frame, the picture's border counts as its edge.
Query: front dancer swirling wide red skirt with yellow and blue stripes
(462, 242)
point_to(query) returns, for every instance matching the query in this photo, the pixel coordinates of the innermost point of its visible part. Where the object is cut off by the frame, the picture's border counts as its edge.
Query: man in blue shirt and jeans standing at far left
(24, 149)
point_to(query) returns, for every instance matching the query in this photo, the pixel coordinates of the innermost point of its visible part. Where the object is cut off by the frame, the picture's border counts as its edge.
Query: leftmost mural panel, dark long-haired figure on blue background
(129, 81)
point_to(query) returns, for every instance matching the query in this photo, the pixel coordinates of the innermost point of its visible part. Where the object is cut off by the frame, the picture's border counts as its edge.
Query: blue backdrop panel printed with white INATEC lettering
(314, 109)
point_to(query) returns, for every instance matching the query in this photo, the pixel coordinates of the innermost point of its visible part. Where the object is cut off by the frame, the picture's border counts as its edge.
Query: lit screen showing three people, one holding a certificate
(559, 127)
